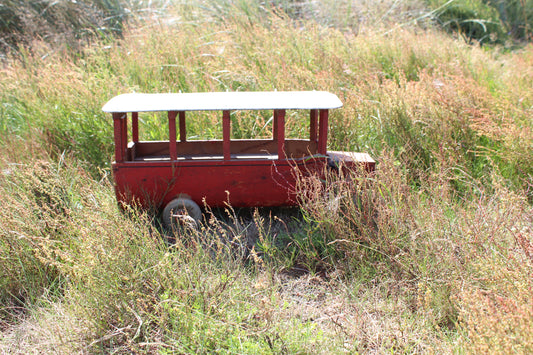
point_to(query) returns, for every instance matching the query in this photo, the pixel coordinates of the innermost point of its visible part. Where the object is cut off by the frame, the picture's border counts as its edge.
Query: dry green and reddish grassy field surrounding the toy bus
(432, 253)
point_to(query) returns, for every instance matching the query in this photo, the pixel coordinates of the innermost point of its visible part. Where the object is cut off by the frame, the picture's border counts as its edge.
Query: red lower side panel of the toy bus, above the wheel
(250, 183)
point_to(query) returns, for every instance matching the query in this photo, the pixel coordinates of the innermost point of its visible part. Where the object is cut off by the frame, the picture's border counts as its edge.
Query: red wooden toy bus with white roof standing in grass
(180, 175)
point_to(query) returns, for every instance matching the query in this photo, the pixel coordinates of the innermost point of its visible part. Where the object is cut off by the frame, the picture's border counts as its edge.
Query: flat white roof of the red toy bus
(208, 101)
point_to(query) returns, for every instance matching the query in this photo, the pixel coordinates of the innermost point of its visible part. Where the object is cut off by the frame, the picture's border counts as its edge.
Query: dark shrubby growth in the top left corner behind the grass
(68, 23)
